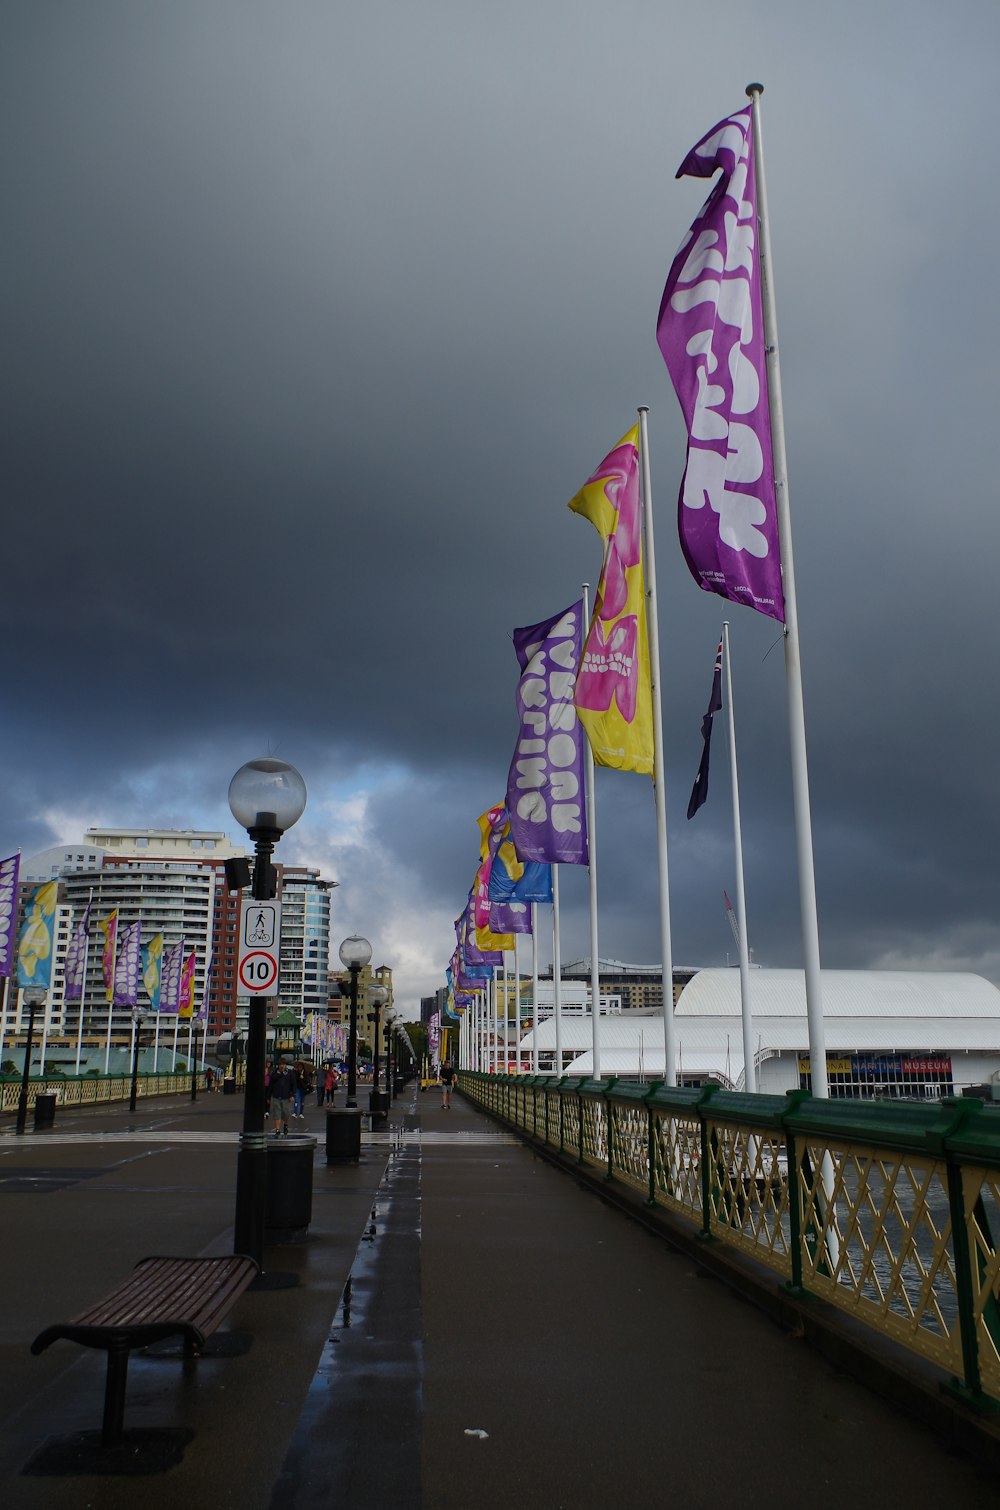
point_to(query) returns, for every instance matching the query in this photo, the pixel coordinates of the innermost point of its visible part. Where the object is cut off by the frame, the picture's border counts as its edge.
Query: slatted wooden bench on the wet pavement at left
(161, 1298)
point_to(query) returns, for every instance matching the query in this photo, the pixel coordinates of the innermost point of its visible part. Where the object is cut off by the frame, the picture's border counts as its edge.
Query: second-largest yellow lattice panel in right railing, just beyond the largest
(748, 1194)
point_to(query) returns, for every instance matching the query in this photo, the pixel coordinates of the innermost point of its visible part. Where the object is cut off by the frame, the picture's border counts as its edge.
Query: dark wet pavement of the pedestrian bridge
(463, 1325)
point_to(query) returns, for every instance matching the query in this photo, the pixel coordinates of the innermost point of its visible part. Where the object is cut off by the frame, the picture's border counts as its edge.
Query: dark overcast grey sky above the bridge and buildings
(315, 316)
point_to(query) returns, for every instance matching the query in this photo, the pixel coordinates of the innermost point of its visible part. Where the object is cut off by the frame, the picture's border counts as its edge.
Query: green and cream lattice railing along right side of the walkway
(887, 1210)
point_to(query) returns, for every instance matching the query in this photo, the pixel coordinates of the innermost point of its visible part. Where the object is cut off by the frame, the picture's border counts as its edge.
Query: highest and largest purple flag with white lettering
(711, 333)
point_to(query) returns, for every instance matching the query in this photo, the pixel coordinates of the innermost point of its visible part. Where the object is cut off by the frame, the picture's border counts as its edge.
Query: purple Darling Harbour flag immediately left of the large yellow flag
(546, 780)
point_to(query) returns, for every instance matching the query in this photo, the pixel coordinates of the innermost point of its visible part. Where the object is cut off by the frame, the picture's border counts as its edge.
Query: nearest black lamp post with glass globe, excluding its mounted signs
(267, 798)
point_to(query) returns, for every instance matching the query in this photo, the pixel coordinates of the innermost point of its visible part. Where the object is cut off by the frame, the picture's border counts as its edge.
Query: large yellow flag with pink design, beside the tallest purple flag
(613, 695)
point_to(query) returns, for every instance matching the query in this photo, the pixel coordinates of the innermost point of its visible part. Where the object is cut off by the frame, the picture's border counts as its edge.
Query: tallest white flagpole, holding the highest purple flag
(792, 661)
